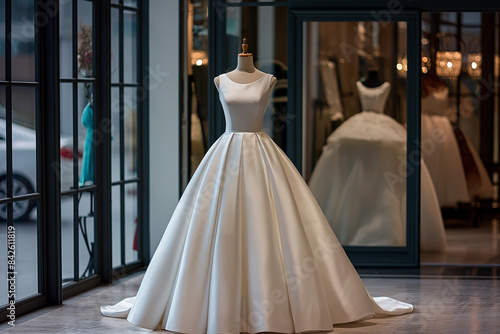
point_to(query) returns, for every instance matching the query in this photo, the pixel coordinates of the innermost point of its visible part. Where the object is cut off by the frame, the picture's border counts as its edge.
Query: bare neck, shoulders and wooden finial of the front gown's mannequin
(245, 72)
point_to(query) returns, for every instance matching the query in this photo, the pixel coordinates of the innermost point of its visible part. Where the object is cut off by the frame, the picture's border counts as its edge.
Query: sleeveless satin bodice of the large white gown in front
(244, 104)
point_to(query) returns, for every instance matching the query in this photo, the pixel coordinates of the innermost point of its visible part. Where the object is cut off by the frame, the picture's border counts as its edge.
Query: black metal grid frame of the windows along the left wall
(47, 81)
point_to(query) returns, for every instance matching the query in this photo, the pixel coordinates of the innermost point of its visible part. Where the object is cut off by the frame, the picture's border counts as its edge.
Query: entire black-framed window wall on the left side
(58, 200)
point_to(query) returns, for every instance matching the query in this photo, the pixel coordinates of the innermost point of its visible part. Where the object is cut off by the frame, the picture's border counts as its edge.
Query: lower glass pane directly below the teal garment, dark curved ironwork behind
(86, 234)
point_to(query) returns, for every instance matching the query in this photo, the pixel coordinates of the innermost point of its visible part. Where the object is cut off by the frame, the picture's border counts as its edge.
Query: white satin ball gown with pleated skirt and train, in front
(247, 248)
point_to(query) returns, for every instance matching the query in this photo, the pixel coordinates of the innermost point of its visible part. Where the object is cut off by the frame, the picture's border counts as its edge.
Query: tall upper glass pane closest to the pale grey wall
(130, 48)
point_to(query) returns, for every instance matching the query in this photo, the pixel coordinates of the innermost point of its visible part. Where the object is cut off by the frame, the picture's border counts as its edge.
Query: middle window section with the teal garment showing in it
(76, 47)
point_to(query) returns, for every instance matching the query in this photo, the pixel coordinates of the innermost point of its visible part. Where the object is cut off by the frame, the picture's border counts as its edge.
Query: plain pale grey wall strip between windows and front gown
(164, 115)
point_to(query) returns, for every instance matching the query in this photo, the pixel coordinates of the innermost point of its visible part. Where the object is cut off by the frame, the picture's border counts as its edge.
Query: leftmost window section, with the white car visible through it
(19, 152)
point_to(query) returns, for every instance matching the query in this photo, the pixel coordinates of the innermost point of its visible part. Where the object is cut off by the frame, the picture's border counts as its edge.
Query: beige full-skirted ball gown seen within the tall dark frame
(359, 180)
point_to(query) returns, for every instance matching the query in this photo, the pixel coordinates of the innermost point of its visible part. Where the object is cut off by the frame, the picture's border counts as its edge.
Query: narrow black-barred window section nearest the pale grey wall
(126, 95)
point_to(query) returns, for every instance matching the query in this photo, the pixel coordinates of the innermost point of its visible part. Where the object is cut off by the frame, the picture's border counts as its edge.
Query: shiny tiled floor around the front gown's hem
(451, 305)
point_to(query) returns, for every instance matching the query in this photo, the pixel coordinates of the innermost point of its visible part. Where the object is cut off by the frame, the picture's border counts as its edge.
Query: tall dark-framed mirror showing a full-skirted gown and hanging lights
(356, 120)
